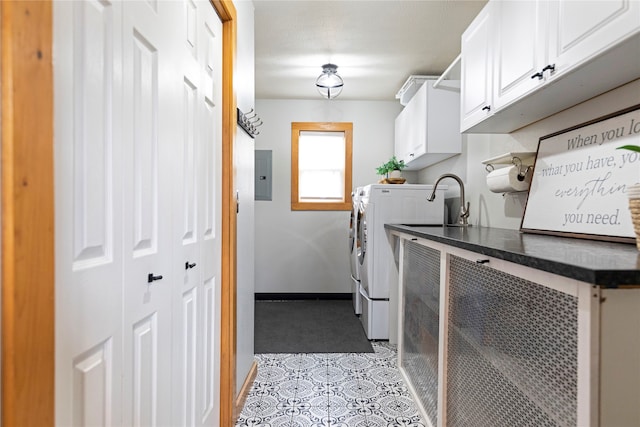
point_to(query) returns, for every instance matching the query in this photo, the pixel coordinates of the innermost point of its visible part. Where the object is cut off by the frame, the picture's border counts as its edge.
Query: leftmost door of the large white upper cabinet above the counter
(476, 69)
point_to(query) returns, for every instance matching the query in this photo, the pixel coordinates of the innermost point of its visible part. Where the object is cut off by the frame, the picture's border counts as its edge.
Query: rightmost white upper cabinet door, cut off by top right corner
(580, 31)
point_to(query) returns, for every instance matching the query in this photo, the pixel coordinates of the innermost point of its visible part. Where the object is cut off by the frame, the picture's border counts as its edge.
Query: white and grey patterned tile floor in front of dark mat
(330, 389)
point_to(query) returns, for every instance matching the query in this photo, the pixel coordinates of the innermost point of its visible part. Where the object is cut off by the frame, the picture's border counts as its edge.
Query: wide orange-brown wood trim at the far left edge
(28, 339)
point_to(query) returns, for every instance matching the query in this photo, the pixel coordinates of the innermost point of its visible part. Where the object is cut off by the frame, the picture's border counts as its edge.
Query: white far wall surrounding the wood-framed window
(306, 251)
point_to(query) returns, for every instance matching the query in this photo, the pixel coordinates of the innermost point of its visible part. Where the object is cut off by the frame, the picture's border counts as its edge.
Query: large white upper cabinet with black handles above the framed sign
(544, 56)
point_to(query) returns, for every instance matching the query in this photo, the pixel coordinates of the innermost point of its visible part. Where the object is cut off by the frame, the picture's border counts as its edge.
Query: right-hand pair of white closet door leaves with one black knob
(197, 220)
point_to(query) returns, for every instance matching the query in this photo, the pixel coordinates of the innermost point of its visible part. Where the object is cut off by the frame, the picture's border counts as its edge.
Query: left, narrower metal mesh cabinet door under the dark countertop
(420, 337)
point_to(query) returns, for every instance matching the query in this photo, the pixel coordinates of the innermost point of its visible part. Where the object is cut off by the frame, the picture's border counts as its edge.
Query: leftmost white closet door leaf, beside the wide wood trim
(88, 220)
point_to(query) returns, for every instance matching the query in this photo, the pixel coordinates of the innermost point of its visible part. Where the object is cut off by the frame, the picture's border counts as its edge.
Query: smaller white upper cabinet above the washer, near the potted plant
(428, 129)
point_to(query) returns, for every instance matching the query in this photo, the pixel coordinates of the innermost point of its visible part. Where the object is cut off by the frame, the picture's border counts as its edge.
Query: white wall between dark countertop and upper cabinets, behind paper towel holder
(493, 210)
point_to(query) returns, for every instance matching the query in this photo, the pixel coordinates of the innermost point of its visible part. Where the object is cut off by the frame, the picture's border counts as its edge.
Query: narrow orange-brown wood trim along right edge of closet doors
(227, 13)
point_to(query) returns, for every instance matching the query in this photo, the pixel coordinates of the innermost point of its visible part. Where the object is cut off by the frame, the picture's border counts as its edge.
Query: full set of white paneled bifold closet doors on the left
(137, 156)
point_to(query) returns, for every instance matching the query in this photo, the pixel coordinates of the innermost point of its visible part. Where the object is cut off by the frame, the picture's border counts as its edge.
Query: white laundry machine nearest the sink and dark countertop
(380, 205)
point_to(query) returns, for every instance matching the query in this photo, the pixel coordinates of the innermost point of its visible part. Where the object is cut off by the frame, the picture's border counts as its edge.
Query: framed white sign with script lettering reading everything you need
(580, 178)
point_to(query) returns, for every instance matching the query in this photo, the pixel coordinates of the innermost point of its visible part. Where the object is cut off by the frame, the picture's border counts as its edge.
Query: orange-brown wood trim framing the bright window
(296, 128)
